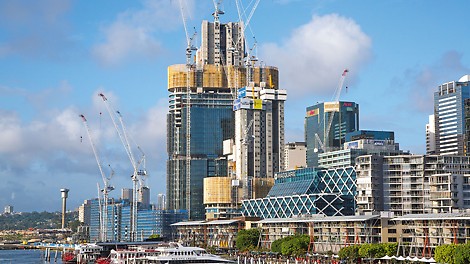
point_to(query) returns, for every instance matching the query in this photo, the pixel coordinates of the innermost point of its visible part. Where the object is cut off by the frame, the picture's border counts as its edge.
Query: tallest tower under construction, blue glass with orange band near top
(201, 116)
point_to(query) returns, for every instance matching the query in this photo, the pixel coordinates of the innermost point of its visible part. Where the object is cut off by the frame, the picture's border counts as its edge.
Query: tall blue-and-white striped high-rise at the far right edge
(450, 117)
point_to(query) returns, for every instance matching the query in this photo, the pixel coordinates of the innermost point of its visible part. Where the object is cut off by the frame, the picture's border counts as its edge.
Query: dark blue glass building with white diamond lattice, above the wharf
(307, 191)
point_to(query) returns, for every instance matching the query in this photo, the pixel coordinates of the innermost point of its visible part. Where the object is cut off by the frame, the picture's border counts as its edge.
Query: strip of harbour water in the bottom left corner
(31, 256)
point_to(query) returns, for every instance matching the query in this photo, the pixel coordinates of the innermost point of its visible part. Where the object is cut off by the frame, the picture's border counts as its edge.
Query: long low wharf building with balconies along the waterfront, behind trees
(416, 235)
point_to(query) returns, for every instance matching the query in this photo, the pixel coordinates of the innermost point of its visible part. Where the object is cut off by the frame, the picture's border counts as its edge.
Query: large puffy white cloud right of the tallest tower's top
(313, 57)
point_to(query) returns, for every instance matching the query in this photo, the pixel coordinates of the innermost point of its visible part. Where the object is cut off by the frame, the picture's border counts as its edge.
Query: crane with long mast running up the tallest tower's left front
(189, 49)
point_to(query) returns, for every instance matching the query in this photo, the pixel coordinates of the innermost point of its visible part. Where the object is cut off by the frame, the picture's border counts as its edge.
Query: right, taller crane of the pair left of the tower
(137, 174)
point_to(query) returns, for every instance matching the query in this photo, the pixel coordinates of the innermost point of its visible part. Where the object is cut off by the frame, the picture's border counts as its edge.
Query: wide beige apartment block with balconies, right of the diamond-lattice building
(413, 184)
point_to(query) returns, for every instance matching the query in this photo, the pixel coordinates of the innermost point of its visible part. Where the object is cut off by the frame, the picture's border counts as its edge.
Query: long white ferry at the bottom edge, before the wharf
(169, 253)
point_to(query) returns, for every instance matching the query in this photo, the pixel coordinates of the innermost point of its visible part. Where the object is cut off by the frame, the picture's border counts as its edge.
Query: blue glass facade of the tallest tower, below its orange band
(211, 122)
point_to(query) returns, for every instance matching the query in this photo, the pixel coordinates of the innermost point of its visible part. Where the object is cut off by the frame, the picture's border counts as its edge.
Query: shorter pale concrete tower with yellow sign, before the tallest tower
(259, 134)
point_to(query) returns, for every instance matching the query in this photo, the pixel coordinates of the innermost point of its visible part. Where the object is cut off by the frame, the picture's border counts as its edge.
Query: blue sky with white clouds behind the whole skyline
(57, 55)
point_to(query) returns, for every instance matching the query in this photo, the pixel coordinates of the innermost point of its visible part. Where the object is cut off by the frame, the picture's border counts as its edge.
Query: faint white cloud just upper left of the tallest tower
(135, 33)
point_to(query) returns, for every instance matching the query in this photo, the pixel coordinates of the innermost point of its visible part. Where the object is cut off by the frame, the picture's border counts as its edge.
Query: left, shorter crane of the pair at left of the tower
(107, 187)
